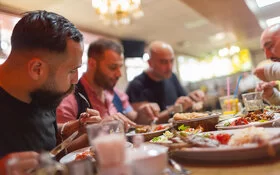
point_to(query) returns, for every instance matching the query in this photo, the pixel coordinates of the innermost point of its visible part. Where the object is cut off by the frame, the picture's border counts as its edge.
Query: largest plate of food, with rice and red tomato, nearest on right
(229, 145)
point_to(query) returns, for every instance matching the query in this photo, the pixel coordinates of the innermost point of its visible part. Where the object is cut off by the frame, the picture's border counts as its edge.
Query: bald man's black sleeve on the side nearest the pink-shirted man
(135, 92)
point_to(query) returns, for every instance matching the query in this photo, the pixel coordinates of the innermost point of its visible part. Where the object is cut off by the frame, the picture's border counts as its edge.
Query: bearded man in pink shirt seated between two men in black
(97, 87)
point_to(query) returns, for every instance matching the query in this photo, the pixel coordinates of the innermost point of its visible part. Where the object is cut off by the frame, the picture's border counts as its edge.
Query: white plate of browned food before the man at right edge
(256, 118)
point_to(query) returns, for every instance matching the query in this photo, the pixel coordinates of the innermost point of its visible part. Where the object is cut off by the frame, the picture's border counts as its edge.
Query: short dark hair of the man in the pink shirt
(96, 49)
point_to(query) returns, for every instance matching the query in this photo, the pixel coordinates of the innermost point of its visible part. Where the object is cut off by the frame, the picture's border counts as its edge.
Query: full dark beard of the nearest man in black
(45, 98)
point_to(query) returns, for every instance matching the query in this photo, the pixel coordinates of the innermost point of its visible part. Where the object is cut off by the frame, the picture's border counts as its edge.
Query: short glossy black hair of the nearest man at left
(43, 30)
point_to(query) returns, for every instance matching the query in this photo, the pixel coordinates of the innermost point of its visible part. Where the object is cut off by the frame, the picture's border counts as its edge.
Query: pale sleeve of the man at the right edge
(272, 72)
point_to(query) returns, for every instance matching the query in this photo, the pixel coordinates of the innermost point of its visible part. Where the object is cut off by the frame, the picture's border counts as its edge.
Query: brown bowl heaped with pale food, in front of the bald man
(194, 119)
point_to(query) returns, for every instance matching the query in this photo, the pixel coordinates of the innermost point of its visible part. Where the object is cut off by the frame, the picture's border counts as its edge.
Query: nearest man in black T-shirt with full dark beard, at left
(40, 70)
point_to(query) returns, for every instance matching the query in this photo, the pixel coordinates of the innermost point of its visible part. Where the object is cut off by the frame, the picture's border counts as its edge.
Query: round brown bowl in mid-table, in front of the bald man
(208, 123)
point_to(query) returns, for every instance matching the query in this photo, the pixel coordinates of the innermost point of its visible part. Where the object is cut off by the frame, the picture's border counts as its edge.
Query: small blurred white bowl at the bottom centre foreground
(148, 159)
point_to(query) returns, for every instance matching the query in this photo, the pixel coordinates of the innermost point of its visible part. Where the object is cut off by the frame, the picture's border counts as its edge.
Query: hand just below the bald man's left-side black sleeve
(147, 112)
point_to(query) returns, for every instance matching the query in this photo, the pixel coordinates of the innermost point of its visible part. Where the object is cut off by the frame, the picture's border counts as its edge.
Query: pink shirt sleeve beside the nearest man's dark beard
(67, 109)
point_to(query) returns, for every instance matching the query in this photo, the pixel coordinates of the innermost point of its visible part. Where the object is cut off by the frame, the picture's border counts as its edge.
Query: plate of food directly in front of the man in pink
(148, 131)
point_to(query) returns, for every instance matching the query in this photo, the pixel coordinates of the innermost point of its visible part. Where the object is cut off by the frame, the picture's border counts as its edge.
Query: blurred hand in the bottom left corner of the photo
(19, 163)
